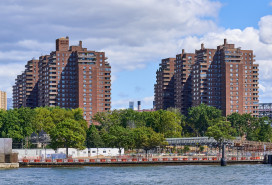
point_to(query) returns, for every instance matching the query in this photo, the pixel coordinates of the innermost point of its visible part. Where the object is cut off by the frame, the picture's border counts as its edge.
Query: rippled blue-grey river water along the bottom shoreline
(195, 174)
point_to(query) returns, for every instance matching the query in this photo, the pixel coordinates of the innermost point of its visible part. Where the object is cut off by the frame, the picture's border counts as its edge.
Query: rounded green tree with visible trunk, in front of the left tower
(68, 133)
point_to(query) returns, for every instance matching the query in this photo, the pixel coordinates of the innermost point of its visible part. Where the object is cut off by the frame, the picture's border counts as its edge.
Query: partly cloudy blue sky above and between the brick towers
(135, 35)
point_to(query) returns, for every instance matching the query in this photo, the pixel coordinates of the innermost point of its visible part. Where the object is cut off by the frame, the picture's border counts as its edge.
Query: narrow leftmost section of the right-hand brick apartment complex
(164, 88)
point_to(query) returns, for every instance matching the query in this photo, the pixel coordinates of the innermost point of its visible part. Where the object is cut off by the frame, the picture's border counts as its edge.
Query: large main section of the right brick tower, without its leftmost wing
(225, 77)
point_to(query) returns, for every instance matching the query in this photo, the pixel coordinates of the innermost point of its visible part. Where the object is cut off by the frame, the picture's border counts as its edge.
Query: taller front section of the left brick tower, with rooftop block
(73, 77)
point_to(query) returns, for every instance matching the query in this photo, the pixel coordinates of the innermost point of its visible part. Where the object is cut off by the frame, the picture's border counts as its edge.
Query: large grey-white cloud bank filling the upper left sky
(130, 32)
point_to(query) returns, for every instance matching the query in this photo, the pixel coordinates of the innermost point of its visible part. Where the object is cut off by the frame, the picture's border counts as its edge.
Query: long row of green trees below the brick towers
(128, 128)
